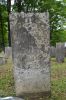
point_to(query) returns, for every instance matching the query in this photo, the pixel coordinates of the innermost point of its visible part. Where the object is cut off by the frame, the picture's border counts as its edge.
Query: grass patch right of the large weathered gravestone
(58, 80)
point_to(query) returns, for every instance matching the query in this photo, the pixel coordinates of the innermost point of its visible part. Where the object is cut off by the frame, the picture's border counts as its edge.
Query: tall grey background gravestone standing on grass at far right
(60, 52)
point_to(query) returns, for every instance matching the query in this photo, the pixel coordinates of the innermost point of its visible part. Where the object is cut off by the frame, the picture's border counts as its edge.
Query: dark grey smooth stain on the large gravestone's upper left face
(26, 39)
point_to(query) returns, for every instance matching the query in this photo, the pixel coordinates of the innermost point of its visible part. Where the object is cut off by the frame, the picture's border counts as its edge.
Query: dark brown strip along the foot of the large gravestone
(36, 96)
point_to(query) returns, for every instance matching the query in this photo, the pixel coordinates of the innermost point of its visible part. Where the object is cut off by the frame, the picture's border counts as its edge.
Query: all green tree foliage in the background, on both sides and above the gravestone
(57, 16)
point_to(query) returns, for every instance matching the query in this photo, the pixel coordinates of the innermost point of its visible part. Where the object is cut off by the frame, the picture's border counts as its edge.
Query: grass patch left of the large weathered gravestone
(7, 80)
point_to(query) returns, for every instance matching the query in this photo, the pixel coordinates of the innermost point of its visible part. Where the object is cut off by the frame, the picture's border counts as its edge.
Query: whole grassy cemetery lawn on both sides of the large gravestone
(58, 80)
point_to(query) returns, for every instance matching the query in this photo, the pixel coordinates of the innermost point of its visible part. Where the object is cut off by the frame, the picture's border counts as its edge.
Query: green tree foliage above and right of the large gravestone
(57, 14)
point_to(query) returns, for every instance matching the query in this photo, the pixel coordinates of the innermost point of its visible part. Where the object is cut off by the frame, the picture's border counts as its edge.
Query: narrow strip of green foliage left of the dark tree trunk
(3, 26)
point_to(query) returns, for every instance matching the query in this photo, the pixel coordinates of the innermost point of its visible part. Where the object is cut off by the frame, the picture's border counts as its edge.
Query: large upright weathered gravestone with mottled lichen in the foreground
(31, 54)
